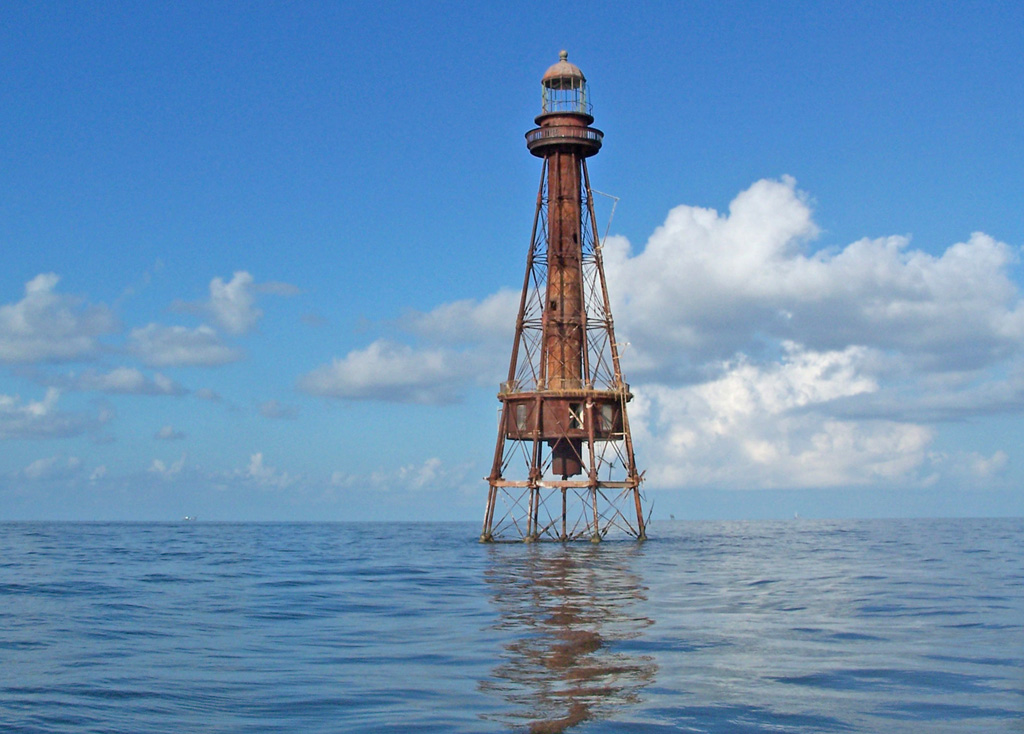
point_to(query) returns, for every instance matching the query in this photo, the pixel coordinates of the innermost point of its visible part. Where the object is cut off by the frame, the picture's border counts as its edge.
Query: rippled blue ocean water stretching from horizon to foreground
(801, 626)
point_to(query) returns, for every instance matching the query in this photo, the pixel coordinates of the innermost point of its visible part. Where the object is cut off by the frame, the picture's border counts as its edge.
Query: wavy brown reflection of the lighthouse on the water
(568, 616)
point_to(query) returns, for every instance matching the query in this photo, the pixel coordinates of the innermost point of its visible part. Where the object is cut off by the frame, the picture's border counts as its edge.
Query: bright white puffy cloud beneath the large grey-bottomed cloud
(764, 426)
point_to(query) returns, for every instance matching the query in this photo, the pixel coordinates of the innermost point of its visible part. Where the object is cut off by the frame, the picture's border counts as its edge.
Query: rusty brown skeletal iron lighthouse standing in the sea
(564, 467)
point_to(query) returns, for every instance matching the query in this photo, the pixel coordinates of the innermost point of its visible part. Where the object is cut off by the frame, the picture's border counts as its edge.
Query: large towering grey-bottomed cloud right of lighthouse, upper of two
(710, 285)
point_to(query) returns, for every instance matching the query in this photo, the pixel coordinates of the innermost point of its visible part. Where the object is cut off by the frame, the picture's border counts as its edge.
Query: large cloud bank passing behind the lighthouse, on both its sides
(757, 361)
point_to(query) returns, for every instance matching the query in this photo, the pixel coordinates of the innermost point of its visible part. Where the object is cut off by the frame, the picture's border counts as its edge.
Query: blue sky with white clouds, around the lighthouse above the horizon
(260, 263)
